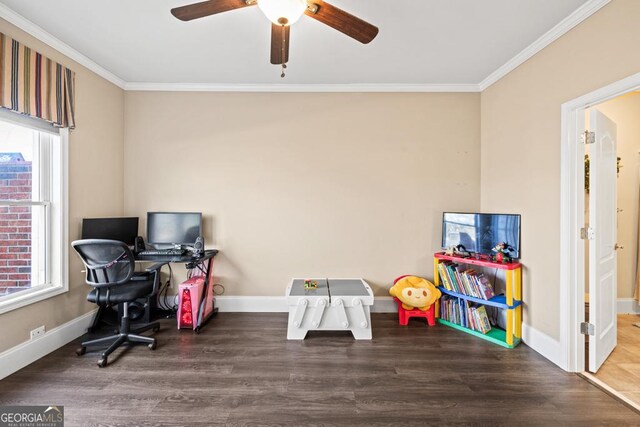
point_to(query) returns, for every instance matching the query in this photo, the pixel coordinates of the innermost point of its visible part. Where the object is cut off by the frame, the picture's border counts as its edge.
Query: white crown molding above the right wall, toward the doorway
(563, 27)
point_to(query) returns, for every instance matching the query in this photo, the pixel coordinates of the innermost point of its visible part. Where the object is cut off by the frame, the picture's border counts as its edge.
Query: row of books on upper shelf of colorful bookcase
(457, 278)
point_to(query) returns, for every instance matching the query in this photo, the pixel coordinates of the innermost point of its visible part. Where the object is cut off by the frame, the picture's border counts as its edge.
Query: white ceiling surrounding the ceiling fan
(420, 41)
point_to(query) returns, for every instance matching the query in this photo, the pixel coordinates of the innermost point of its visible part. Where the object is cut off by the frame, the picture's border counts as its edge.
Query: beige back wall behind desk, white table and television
(306, 184)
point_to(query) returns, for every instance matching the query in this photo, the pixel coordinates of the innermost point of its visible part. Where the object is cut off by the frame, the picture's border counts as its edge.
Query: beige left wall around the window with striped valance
(95, 187)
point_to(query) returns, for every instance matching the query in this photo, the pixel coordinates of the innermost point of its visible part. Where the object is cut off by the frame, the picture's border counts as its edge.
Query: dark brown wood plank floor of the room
(241, 370)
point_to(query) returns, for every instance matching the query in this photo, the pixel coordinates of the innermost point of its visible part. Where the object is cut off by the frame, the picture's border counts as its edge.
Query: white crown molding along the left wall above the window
(38, 32)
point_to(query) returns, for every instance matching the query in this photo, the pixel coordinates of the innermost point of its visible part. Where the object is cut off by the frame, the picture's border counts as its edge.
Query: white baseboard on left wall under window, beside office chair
(18, 357)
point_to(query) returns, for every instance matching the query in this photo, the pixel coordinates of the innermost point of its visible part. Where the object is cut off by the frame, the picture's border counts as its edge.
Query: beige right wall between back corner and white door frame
(520, 130)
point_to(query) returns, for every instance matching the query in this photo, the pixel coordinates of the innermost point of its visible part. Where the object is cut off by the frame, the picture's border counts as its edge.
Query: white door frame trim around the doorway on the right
(572, 248)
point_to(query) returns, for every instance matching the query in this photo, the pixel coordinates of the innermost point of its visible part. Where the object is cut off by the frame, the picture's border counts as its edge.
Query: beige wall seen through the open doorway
(625, 112)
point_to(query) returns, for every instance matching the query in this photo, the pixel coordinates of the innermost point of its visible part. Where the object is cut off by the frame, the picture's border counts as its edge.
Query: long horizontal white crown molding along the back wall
(236, 87)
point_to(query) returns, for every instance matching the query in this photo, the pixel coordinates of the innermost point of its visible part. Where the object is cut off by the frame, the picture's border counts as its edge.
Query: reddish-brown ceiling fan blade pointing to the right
(342, 21)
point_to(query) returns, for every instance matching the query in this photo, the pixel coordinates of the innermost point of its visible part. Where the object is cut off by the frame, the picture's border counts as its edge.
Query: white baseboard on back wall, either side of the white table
(256, 304)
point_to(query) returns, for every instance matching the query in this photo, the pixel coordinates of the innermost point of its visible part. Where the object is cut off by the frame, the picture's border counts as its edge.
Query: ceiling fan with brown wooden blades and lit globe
(283, 13)
